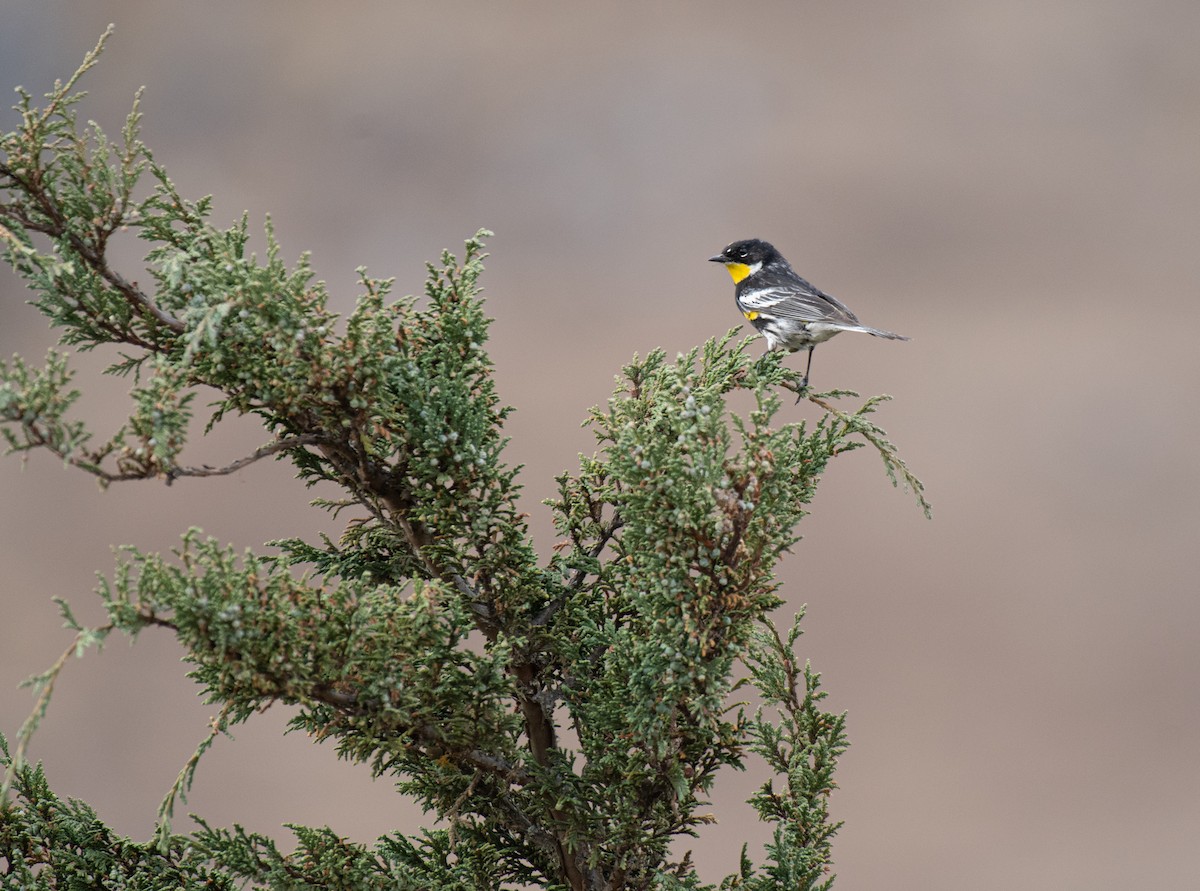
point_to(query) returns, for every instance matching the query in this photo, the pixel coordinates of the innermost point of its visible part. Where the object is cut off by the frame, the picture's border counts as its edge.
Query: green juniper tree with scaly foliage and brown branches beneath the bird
(428, 642)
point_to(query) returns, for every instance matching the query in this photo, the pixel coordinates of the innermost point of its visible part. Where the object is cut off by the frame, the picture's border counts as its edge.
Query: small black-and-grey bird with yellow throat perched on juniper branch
(790, 313)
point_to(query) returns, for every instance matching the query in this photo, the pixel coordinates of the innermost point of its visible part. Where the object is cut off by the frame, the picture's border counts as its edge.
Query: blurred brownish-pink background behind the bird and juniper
(1016, 186)
